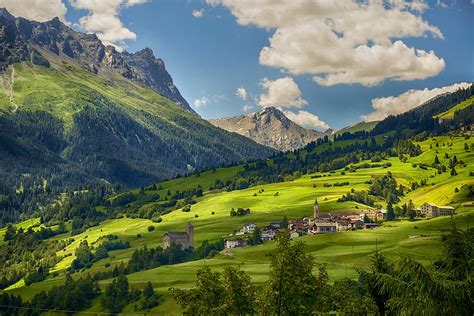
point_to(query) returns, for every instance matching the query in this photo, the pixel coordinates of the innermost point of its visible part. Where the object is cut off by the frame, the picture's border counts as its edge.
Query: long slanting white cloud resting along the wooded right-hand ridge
(393, 105)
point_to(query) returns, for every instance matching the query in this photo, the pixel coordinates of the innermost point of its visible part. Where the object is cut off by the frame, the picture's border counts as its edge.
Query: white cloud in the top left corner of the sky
(37, 10)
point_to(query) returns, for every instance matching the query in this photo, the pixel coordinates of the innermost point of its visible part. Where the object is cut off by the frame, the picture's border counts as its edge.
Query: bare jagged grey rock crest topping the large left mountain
(22, 40)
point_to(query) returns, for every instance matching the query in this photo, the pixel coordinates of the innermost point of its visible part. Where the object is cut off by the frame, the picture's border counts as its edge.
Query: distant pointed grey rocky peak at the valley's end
(269, 127)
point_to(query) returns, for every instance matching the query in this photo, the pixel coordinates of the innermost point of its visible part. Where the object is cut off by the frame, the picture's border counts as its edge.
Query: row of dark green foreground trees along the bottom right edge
(402, 288)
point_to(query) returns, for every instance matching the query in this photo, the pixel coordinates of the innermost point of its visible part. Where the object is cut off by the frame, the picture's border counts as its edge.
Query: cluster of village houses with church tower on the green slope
(326, 223)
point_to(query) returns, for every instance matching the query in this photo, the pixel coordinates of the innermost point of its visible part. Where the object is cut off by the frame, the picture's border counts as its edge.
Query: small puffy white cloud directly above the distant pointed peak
(282, 93)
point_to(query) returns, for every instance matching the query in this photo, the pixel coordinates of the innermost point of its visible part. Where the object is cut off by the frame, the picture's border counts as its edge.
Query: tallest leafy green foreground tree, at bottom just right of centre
(292, 287)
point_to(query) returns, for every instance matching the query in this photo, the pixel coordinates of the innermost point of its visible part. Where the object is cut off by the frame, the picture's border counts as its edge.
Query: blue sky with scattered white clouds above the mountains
(324, 63)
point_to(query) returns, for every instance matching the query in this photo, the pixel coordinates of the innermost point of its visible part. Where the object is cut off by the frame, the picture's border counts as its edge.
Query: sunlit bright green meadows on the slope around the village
(340, 252)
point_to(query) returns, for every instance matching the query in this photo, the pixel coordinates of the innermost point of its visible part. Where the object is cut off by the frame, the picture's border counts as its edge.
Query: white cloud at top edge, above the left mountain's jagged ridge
(103, 19)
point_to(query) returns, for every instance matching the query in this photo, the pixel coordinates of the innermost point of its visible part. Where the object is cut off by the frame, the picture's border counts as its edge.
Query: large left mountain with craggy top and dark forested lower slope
(74, 112)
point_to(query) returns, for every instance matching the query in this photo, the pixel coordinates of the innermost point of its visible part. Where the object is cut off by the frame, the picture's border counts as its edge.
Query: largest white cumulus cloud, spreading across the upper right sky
(342, 42)
